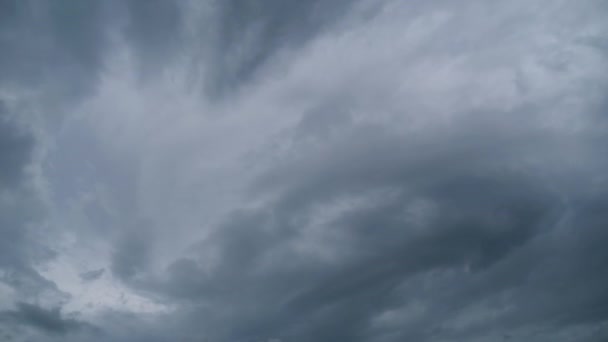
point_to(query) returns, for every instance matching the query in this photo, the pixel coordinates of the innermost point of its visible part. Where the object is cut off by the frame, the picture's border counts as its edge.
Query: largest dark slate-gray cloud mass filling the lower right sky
(454, 211)
